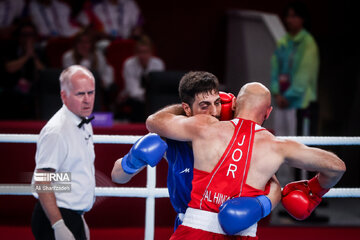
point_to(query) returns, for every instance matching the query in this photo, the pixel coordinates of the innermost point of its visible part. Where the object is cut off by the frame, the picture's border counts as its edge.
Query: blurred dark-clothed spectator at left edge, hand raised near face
(21, 63)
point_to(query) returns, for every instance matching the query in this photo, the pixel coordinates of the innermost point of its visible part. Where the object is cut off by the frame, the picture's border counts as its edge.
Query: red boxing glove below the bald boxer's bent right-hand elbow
(302, 197)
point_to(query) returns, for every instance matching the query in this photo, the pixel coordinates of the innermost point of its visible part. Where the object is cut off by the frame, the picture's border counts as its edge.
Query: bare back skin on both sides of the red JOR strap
(209, 148)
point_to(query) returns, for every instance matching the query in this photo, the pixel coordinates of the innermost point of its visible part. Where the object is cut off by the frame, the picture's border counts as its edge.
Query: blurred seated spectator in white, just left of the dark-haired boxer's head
(135, 71)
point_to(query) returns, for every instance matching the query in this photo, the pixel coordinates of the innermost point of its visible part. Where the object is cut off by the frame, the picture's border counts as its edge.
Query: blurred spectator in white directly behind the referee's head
(84, 53)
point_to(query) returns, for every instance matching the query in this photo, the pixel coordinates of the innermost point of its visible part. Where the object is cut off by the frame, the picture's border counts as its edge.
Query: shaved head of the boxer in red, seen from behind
(254, 99)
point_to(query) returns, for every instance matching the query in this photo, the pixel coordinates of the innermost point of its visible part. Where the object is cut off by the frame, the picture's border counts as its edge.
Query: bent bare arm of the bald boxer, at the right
(298, 155)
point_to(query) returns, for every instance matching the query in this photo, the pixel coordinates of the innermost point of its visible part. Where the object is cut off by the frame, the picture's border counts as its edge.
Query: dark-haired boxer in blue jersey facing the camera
(199, 95)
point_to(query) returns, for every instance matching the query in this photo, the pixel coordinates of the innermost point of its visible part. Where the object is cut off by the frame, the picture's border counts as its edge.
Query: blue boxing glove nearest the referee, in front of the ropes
(148, 149)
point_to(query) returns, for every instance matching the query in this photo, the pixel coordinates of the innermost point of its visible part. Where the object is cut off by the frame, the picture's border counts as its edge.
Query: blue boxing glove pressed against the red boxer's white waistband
(237, 214)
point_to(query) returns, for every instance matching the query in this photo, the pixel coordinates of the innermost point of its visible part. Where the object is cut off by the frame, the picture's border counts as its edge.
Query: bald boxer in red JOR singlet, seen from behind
(235, 159)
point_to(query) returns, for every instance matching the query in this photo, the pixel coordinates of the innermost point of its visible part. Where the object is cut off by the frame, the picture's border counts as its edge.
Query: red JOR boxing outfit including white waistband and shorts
(227, 180)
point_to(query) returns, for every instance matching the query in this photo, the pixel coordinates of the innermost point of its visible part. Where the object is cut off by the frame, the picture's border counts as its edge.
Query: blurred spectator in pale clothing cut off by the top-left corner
(10, 10)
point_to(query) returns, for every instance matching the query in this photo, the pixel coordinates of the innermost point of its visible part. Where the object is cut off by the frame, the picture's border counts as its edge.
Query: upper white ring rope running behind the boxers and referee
(131, 139)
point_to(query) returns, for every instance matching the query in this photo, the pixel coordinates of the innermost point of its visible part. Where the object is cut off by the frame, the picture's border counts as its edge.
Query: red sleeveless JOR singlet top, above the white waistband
(228, 178)
